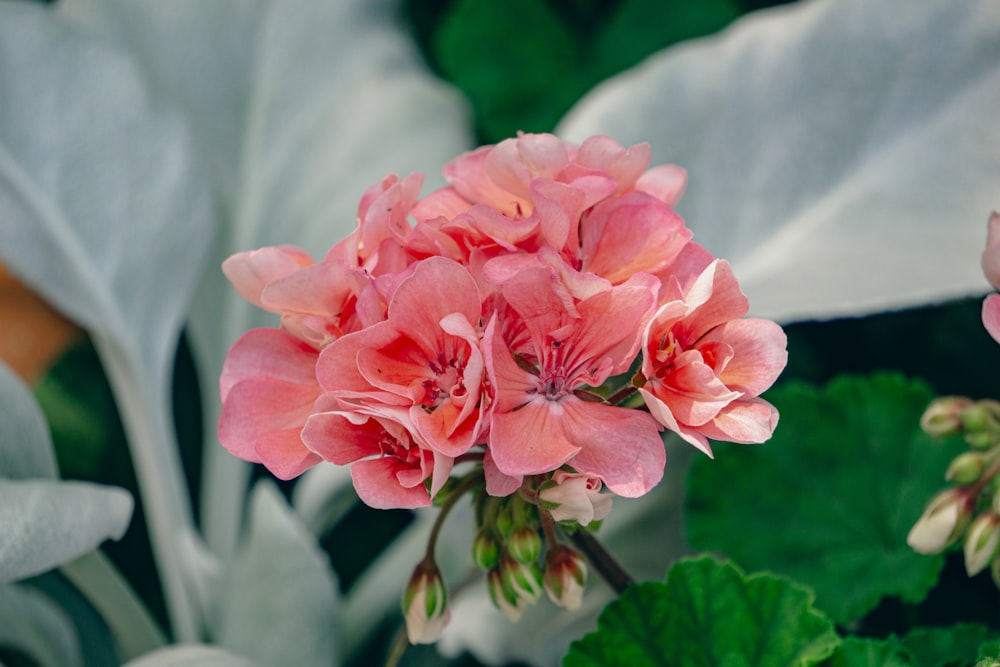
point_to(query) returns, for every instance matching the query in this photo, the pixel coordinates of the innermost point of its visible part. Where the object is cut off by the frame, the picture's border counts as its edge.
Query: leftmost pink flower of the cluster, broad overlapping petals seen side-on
(268, 388)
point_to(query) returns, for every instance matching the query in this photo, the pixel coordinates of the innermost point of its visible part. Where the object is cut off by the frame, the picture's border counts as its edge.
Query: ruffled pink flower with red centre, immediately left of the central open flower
(425, 356)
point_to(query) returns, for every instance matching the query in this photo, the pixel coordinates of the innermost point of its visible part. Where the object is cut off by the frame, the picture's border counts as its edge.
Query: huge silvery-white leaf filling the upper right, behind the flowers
(825, 142)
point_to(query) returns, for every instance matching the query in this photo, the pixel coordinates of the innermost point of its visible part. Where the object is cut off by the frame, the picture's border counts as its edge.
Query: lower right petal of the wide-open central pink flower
(620, 445)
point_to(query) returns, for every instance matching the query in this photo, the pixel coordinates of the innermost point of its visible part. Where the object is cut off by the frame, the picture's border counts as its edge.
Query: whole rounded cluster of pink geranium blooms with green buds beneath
(544, 317)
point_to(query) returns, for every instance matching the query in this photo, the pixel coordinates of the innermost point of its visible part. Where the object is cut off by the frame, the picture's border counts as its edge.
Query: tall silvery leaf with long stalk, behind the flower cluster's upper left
(298, 107)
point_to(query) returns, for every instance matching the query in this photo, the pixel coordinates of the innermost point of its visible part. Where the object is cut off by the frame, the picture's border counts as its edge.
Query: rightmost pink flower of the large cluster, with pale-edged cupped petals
(704, 367)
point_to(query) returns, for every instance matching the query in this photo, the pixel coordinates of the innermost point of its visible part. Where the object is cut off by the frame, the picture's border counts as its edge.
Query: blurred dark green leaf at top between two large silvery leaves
(524, 62)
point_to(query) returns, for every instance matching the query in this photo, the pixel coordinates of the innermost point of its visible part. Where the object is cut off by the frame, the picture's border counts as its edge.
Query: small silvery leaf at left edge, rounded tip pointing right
(44, 523)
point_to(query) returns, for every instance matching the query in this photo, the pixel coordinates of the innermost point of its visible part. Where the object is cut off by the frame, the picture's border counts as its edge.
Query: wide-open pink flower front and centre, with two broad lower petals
(539, 420)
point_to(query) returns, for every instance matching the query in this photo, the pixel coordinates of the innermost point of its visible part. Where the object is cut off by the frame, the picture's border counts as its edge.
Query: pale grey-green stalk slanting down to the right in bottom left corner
(126, 616)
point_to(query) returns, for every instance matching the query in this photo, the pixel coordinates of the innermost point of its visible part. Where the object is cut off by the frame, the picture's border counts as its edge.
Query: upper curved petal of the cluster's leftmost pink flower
(270, 353)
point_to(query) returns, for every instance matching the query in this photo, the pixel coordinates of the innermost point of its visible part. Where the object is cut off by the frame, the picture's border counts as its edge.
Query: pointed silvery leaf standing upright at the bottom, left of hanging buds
(279, 603)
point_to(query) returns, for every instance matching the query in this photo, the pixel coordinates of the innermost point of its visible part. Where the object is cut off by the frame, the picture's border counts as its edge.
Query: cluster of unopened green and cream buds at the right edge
(971, 510)
